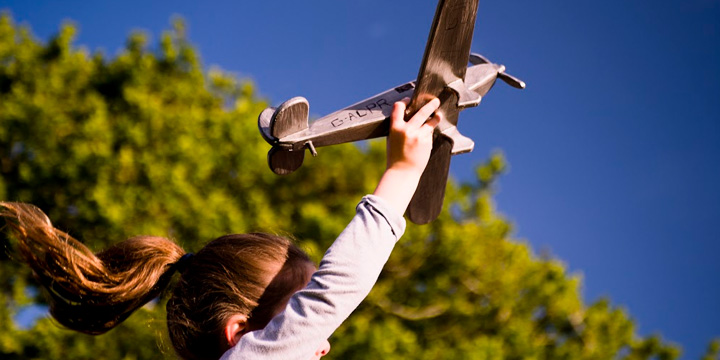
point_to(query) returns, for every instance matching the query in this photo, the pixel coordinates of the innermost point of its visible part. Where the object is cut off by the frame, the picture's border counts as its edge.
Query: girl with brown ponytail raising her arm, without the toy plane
(243, 296)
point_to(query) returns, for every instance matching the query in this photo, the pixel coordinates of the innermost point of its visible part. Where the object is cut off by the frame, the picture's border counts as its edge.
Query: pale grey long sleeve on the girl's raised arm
(347, 273)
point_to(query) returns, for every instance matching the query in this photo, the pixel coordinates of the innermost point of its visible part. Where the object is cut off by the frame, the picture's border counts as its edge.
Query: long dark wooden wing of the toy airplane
(441, 75)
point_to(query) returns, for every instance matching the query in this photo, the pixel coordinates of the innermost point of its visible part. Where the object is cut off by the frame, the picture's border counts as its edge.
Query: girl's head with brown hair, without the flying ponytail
(250, 275)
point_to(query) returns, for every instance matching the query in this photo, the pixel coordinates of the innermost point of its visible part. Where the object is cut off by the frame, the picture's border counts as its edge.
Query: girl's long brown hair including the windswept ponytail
(94, 292)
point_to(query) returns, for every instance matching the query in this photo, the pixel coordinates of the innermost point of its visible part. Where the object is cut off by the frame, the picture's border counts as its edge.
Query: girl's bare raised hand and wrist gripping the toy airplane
(409, 147)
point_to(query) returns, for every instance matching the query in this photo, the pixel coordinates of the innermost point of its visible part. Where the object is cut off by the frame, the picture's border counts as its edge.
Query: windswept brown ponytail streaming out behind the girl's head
(90, 293)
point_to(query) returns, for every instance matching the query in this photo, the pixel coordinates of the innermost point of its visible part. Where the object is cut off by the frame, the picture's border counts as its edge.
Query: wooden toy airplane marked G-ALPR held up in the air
(444, 73)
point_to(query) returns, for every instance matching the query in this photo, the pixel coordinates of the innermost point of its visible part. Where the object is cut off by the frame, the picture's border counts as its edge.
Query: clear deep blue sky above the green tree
(614, 146)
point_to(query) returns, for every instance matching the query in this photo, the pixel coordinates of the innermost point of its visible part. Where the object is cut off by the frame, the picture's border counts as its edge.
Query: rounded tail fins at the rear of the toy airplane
(275, 124)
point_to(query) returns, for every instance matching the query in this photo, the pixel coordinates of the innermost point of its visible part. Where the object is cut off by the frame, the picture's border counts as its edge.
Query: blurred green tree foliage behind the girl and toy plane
(149, 143)
